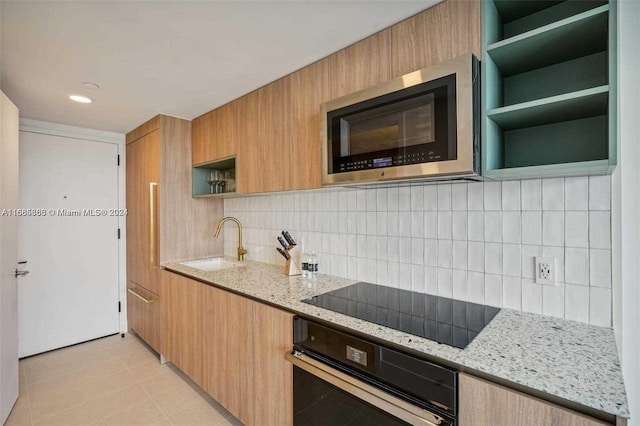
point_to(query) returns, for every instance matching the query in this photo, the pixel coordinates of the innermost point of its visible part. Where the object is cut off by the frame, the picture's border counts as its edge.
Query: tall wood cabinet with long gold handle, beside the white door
(164, 222)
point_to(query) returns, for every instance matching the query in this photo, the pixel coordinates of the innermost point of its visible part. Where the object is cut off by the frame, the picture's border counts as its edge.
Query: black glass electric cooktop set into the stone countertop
(447, 321)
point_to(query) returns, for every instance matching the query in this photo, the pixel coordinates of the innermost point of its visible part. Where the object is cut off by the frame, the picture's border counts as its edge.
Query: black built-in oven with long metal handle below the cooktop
(340, 379)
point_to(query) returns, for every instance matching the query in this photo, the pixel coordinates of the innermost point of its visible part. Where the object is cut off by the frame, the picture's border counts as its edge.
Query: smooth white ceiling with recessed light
(181, 58)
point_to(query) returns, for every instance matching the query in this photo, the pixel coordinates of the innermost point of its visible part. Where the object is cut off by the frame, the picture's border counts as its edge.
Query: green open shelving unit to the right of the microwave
(548, 88)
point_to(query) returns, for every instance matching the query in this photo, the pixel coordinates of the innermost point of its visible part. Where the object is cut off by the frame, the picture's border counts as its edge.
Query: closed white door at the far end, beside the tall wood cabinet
(71, 245)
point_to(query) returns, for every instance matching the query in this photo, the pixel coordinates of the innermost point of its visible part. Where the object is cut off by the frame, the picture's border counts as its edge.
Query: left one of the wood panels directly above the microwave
(361, 65)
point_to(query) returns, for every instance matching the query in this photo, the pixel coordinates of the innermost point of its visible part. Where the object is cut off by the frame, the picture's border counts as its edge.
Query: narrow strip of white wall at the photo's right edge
(626, 205)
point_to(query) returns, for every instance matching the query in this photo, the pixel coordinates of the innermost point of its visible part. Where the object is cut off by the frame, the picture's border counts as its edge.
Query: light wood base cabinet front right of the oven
(482, 403)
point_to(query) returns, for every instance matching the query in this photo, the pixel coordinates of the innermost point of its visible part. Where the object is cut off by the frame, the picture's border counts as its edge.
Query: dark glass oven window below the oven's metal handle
(318, 403)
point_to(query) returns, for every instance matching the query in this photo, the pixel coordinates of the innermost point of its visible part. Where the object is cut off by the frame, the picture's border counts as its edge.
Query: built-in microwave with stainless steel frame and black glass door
(424, 124)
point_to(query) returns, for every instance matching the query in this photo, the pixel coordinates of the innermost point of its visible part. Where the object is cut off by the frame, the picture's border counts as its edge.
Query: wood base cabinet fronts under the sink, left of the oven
(231, 346)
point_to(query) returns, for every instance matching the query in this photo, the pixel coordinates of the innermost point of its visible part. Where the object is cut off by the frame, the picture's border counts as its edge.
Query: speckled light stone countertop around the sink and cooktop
(565, 361)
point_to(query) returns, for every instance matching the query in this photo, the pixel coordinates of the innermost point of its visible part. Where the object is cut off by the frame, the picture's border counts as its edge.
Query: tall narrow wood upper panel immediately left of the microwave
(309, 88)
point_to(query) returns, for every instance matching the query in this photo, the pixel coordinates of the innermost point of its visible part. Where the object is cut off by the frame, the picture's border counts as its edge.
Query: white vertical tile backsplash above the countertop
(471, 241)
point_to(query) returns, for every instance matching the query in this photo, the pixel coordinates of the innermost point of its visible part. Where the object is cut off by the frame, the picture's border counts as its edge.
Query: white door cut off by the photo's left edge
(8, 257)
